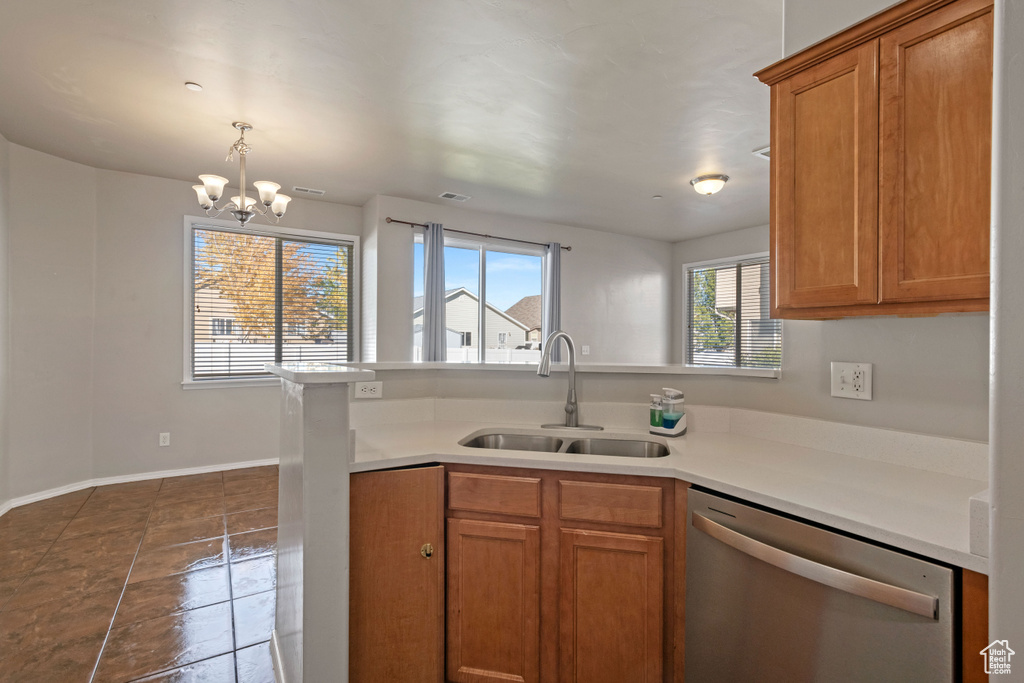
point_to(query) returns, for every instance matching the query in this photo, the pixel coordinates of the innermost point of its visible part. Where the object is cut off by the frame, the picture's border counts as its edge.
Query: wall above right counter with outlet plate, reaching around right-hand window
(930, 374)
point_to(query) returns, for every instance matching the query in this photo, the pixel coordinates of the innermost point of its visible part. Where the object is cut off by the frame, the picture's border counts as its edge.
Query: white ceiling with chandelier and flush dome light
(569, 111)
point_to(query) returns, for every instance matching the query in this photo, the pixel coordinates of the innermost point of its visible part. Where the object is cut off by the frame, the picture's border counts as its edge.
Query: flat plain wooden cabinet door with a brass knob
(397, 614)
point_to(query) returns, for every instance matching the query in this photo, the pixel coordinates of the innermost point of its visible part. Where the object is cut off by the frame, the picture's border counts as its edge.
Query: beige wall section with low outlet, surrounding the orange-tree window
(140, 337)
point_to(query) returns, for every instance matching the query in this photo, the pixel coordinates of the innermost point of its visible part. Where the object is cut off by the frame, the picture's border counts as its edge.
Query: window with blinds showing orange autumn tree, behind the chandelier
(261, 298)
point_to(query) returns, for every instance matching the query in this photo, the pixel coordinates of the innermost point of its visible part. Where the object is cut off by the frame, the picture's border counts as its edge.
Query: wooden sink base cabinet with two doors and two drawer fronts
(562, 577)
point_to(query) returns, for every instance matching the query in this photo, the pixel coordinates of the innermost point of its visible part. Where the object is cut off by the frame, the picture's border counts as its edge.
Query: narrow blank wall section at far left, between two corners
(53, 217)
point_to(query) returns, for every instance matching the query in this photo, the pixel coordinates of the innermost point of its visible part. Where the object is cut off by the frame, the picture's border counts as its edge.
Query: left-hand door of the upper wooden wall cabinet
(825, 168)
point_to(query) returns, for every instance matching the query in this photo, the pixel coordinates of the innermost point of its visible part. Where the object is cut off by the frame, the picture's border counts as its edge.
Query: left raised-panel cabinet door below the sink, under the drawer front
(494, 603)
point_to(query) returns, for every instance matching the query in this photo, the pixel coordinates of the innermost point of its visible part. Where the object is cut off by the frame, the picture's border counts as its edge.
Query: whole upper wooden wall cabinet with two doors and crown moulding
(881, 142)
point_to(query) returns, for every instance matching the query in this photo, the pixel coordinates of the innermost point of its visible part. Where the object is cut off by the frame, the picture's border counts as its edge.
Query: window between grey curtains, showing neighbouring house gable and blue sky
(508, 317)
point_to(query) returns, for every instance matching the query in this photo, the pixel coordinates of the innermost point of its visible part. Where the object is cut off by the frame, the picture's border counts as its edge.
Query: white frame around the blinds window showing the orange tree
(278, 232)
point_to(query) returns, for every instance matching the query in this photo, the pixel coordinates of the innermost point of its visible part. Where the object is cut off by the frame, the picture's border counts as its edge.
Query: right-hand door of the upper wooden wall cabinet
(936, 110)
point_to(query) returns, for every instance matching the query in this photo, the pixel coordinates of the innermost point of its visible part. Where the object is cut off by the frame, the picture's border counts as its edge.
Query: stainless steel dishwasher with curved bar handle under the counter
(770, 599)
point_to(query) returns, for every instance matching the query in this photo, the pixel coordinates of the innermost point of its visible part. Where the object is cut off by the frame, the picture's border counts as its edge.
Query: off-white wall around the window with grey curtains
(617, 295)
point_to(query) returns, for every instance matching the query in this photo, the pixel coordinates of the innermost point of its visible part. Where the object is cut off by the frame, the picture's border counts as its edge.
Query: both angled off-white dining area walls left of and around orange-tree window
(97, 314)
